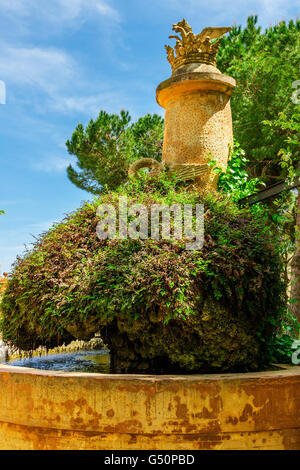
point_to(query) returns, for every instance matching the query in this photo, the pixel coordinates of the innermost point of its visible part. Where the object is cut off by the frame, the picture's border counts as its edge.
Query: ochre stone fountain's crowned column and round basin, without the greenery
(257, 410)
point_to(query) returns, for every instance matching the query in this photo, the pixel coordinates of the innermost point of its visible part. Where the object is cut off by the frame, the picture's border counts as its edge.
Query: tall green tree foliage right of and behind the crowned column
(265, 64)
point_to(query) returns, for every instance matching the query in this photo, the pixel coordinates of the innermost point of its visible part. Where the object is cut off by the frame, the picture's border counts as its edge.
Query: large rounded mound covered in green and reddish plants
(158, 306)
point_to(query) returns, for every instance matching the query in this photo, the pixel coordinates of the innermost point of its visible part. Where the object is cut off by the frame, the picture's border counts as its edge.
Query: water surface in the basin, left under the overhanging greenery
(79, 361)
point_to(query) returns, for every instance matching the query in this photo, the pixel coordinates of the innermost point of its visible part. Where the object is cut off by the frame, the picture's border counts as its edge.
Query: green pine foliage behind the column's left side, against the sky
(107, 146)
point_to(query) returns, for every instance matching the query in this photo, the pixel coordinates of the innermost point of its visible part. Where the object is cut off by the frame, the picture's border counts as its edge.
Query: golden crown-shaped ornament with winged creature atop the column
(192, 48)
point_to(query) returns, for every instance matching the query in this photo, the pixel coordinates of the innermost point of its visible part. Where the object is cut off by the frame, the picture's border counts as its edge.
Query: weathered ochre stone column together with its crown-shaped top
(197, 103)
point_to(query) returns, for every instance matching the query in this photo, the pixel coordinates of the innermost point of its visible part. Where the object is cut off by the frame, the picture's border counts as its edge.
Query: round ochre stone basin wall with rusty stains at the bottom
(50, 410)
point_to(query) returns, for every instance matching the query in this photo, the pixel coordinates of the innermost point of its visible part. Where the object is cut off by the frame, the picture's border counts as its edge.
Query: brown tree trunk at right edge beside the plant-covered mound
(295, 268)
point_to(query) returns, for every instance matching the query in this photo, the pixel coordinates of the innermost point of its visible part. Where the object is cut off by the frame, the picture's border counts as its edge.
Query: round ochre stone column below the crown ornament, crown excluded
(198, 119)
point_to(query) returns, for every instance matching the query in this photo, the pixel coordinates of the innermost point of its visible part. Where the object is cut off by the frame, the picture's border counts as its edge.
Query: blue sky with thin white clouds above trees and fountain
(64, 60)
